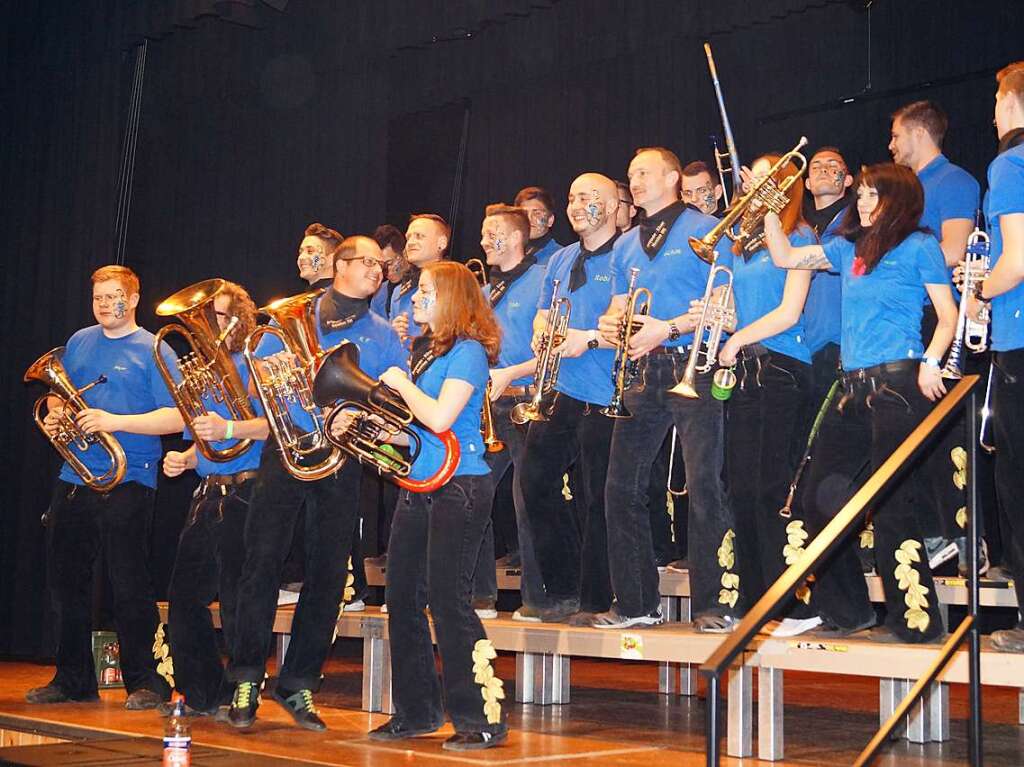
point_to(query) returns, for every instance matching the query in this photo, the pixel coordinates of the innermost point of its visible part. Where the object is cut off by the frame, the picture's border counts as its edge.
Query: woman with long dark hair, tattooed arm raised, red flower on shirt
(888, 267)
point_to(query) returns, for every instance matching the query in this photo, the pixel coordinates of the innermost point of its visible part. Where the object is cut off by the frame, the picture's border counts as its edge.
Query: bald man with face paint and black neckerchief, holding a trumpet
(576, 432)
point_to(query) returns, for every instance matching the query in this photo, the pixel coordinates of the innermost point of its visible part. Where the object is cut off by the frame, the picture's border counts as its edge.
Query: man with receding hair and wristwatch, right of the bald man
(659, 249)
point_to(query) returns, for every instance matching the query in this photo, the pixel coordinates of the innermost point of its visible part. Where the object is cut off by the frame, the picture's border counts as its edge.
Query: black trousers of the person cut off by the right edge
(1007, 429)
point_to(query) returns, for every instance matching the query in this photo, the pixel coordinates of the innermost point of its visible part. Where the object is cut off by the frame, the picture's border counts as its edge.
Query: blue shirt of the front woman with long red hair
(466, 361)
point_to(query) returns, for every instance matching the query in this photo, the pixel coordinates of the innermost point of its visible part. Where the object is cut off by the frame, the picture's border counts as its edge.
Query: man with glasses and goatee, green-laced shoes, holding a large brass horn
(343, 314)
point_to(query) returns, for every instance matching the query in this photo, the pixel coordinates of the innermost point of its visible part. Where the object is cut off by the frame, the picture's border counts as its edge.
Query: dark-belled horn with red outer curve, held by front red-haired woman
(340, 385)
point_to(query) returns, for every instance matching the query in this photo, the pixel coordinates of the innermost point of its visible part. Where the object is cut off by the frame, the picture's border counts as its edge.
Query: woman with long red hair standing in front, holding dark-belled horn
(436, 537)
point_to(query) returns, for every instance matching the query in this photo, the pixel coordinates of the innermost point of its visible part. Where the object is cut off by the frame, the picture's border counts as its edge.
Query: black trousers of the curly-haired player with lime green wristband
(208, 566)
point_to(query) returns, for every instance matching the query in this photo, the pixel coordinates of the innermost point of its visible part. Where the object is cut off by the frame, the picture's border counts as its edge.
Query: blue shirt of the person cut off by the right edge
(1006, 196)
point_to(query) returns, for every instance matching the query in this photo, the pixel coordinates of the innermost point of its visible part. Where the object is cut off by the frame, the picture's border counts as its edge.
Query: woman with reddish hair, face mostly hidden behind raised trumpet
(774, 370)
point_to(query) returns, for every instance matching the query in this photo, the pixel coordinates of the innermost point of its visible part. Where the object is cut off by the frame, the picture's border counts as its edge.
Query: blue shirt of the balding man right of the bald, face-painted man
(675, 276)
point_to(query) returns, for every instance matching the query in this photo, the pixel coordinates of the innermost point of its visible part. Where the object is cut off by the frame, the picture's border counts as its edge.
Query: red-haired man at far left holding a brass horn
(133, 404)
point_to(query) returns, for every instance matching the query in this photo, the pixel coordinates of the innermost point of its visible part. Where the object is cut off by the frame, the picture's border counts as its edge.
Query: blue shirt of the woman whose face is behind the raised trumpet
(758, 286)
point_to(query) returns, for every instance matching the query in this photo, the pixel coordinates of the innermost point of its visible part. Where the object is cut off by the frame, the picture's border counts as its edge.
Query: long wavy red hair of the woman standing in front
(462, 311)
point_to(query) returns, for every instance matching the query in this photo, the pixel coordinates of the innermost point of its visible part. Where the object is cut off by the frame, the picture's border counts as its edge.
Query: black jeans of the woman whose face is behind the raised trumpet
(764, 440)
